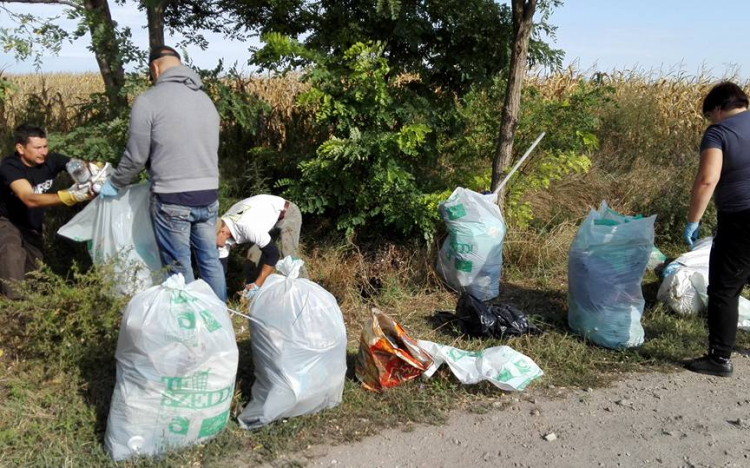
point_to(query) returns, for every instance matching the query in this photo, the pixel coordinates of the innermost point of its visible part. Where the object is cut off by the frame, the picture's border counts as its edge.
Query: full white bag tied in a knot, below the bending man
(299, 348)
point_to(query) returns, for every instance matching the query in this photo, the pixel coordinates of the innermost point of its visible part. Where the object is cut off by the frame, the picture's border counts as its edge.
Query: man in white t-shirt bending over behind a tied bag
(260, 220)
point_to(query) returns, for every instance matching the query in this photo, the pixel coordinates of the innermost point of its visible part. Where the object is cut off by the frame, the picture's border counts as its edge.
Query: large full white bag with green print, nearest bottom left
(176, 368)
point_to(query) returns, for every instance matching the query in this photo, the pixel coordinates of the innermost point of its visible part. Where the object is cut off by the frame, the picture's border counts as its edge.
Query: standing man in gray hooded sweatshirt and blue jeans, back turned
(174, 133)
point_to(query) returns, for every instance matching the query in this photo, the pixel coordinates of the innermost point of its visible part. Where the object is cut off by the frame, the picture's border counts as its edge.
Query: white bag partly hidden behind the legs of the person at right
(685, 285)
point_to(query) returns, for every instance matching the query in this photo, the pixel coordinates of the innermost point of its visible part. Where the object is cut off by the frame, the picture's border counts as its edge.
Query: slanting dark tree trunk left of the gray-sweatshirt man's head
(107, 51)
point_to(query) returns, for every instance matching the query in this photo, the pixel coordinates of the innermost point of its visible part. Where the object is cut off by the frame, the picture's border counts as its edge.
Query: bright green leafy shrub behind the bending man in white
(365, 172)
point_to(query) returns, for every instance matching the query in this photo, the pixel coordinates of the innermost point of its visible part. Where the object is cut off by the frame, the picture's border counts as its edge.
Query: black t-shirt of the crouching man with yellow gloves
(40, 177)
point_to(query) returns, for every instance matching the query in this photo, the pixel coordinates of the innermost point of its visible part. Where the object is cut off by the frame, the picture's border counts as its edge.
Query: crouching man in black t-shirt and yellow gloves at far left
(26, 178)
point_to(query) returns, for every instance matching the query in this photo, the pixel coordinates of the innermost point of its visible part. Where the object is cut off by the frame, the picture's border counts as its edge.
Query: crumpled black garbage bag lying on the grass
(475, 318)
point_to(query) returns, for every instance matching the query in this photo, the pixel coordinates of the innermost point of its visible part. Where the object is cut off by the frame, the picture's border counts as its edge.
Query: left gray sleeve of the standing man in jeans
(138, 148)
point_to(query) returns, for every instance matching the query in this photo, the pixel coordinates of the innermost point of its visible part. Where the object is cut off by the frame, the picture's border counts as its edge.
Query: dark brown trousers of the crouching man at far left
(20, 249)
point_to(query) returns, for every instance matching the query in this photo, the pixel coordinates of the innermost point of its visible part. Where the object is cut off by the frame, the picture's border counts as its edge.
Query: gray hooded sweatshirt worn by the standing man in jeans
(174, 126)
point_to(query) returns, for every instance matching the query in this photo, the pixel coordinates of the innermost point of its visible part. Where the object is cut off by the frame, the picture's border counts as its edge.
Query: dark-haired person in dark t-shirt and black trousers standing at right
(724, 173)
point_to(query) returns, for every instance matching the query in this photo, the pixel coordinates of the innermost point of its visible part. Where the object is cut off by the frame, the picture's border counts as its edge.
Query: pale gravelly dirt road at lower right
(675, 419)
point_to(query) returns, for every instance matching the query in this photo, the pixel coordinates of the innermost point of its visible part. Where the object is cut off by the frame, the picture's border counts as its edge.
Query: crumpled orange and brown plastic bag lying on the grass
(387, 355)
